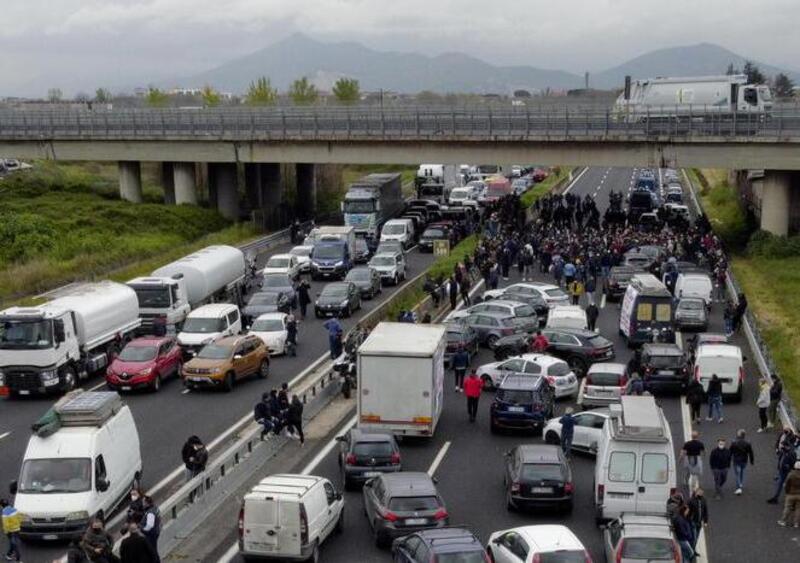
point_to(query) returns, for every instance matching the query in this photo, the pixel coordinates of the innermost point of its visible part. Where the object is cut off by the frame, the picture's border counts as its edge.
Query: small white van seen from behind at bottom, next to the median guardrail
(289, 516)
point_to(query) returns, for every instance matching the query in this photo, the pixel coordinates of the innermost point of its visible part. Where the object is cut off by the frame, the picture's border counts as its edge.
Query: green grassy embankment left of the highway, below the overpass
(63, 223)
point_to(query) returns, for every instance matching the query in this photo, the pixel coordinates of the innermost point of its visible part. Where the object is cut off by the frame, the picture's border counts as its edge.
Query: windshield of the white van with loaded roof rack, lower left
(66, 475)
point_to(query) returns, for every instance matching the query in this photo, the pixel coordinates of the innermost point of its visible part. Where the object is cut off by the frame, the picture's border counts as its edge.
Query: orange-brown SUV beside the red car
(222, 363)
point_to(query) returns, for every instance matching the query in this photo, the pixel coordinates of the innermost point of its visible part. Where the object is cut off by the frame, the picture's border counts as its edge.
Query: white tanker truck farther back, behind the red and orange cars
(167, 296)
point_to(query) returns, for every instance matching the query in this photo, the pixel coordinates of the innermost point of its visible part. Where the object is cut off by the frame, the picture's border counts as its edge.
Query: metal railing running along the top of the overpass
(375, 124)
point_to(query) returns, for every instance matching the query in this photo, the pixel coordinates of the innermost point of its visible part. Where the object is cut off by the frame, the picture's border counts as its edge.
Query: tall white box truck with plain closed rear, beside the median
(401, 379)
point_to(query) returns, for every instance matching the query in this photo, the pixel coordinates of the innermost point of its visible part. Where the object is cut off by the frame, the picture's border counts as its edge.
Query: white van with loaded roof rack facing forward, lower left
(80, 466)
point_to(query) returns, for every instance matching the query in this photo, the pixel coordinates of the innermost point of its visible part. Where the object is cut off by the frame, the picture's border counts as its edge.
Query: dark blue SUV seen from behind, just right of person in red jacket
(522, 402)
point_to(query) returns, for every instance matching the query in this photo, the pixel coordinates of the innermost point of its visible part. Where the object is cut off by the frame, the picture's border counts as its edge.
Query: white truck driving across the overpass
(692, 97)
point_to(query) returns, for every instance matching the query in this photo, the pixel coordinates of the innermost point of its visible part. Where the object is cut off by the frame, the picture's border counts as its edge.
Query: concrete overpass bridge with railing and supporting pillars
(262, 139)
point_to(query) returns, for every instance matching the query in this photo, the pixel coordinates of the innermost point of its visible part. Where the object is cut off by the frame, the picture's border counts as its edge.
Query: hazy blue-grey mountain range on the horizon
(323, 63)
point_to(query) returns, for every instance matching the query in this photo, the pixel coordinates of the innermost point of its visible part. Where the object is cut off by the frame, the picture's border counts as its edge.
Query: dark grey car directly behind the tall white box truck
(364, 455)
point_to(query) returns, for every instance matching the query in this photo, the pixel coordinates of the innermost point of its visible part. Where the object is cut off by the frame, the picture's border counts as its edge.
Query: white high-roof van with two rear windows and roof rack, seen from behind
(635, 468)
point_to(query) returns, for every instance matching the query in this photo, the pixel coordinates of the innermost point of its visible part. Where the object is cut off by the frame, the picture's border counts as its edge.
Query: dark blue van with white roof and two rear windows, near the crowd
(646, 308)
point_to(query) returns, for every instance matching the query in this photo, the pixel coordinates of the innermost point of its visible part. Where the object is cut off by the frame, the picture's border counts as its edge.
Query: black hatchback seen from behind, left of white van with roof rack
(537, 476)
